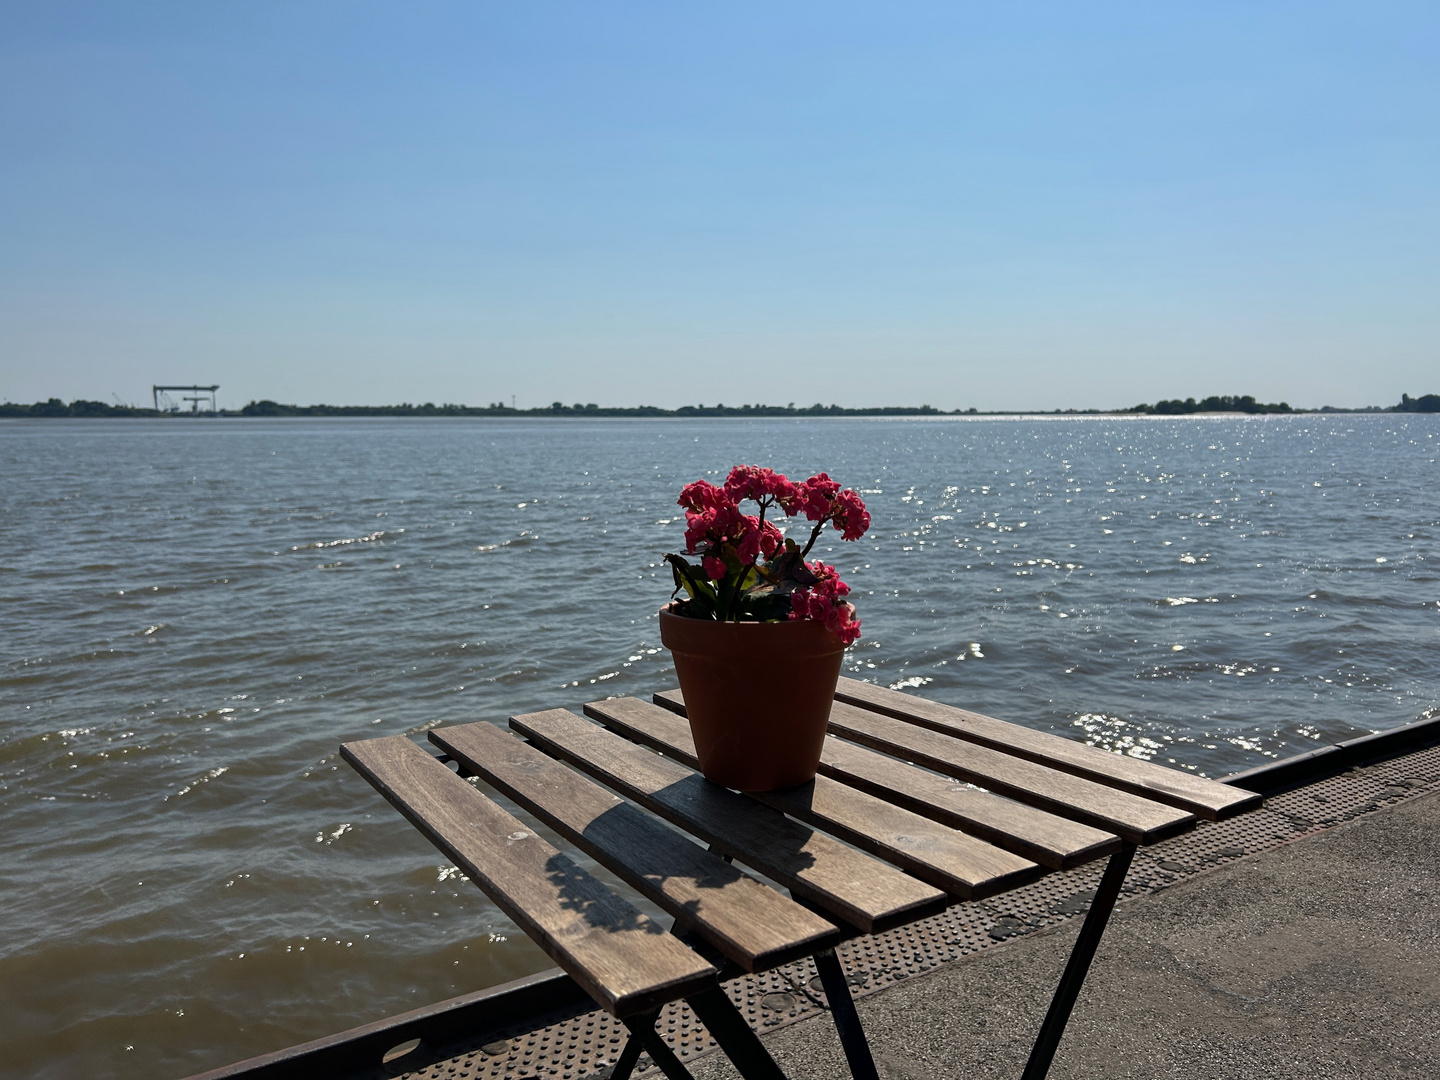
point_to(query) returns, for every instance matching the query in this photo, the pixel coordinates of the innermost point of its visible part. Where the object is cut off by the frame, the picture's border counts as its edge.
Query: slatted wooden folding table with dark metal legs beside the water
(918, 806)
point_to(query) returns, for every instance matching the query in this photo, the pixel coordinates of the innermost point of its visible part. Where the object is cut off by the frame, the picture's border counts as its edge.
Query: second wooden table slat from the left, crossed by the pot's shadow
(747, 921)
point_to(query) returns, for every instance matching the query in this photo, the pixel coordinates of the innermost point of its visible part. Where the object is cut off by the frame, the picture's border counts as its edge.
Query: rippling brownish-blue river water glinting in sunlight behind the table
(197, 614)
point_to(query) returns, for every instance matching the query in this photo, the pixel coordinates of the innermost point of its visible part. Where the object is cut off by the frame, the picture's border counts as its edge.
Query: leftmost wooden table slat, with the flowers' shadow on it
(623, 960)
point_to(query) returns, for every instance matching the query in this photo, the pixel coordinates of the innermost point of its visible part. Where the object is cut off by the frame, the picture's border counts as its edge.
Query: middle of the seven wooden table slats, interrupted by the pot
(960, 865)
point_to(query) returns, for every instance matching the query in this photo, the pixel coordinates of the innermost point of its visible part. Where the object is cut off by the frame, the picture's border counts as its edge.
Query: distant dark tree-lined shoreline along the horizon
(1209, 407)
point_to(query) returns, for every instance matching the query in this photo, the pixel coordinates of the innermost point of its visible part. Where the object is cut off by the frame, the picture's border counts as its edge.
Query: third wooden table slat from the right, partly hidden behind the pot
(1048, 839)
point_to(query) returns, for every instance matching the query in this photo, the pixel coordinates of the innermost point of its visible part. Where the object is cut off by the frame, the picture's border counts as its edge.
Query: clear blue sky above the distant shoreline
(894, 204)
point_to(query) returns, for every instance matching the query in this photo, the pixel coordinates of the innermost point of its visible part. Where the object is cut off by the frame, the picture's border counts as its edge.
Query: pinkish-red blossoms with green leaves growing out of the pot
(750, 570)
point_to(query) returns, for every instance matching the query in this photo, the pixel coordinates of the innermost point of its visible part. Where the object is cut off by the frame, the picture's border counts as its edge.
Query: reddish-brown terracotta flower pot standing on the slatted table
(758, 696)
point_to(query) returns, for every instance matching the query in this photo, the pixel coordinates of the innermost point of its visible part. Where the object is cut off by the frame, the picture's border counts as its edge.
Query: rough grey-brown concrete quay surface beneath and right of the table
(1315, 960)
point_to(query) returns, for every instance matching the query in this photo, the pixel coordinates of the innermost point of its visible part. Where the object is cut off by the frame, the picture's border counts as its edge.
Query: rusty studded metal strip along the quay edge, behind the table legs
(587, 1046)
